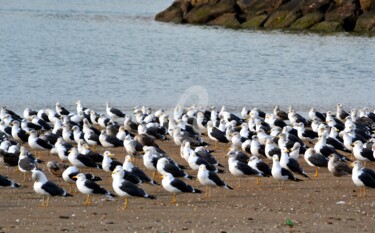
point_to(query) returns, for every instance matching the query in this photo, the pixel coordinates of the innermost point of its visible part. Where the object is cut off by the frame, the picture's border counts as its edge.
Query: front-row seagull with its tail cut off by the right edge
(363, 177)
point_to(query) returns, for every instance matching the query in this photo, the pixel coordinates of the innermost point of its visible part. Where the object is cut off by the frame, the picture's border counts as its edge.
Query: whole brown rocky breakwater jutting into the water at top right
(317, 15)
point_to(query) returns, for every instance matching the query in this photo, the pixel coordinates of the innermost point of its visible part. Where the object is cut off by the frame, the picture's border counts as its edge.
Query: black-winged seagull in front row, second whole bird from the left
(89, 187)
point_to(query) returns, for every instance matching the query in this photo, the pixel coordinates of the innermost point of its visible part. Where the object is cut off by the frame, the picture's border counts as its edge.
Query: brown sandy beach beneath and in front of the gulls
(323, 204)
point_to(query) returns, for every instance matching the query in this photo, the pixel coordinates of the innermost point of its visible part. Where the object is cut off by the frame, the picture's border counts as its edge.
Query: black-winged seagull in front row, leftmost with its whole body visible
(46, 188)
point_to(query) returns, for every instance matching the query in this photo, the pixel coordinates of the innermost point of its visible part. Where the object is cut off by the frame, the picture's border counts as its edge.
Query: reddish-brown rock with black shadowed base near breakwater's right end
(345, 13)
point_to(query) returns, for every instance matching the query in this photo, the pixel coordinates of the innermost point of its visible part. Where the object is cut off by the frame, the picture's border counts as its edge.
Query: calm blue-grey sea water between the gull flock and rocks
(113, 50)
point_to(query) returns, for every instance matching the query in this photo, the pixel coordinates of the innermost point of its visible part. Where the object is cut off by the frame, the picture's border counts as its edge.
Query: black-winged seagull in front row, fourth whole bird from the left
(174, 185)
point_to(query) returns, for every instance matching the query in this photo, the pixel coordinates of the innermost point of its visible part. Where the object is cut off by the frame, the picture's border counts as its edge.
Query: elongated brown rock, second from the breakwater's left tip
(208, 12)
